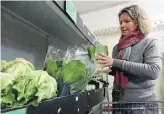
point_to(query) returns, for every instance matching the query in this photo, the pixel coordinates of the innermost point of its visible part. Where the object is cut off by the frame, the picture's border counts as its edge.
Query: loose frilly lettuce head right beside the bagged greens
(35, 87)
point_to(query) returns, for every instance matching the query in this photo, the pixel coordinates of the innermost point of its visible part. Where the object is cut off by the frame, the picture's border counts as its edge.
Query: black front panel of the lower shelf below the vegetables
(79, 103)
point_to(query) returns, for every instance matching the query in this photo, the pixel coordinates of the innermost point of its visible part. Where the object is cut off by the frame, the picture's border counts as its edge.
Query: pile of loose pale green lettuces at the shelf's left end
(22, 85)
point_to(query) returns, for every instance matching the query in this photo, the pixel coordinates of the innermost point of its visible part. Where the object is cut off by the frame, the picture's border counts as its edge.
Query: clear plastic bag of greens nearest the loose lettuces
(53, 65)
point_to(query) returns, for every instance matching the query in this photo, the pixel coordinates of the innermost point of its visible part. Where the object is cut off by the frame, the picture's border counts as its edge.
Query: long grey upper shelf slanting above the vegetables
(47, 16)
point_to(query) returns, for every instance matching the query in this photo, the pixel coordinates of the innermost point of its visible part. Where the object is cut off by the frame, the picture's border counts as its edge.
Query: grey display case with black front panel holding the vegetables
(28, 27)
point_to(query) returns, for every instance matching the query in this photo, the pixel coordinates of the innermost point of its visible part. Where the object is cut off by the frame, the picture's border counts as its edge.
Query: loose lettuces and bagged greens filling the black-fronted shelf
(21, 84)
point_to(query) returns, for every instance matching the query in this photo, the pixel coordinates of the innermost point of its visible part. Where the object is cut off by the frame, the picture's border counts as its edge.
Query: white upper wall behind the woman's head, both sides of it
(108, 18)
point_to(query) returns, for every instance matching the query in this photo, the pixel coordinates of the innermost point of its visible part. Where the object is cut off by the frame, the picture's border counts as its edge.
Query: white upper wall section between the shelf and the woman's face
(102, 19)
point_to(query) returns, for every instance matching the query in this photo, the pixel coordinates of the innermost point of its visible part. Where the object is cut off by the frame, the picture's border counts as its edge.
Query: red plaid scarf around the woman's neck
(120, 79)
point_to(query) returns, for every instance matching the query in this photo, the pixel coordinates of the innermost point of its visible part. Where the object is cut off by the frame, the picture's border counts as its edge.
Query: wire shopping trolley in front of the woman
(129, 107)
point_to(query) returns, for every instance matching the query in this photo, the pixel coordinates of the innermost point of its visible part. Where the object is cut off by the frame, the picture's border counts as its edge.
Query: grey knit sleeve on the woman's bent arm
(152, 66)
